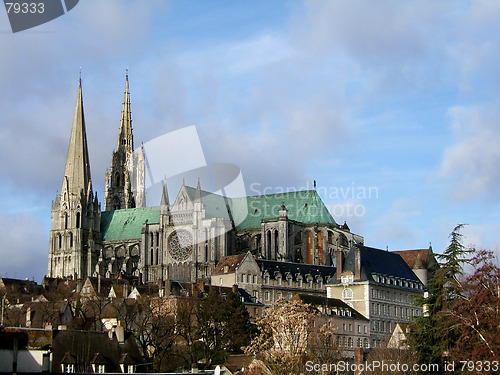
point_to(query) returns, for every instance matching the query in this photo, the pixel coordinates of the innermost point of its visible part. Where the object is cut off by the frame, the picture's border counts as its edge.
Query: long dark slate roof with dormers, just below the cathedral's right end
(295, 269)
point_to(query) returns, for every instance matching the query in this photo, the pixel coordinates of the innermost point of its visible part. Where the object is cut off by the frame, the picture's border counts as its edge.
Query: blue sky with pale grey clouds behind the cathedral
(392, 107)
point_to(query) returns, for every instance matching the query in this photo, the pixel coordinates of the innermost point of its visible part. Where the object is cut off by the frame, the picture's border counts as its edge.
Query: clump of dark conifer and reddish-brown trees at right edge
(461, 318)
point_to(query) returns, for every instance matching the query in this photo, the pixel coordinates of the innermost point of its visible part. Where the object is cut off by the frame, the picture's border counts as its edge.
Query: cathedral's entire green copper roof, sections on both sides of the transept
(247, 212)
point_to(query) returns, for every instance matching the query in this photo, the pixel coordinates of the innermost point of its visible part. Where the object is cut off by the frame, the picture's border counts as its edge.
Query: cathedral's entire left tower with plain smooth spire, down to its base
(76, 214)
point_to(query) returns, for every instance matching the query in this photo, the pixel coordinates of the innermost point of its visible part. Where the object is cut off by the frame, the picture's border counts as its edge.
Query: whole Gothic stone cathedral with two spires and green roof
(182, 239)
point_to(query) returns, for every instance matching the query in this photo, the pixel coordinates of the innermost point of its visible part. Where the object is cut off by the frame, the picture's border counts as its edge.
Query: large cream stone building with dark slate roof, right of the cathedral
(380, 285)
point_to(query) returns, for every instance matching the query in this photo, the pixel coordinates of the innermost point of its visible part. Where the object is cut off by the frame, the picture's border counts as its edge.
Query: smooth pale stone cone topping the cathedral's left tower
(77, 172)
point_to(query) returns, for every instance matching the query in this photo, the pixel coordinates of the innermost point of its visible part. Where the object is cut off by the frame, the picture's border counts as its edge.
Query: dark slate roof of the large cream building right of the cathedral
(380, 262)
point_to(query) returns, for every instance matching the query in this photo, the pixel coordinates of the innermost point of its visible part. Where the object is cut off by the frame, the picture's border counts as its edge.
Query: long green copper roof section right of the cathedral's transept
(303, 206)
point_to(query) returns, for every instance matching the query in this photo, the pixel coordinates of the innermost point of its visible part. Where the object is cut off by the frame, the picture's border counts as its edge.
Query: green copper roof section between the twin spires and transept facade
(127, 224)
